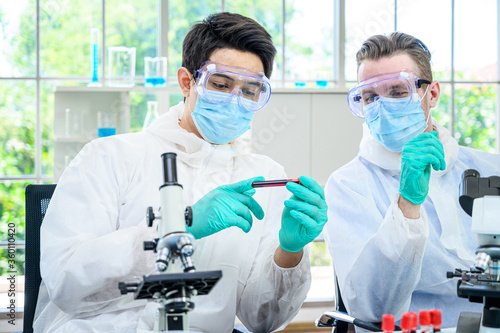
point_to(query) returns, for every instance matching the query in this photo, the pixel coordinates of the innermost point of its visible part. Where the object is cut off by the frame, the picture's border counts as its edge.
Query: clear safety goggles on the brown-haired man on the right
(401, 86)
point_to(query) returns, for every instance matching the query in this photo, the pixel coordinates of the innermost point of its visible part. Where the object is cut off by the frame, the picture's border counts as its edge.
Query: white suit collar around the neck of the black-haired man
(192, 149)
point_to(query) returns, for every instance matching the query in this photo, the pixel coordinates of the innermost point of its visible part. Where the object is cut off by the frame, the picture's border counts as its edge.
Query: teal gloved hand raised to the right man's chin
(416, 159)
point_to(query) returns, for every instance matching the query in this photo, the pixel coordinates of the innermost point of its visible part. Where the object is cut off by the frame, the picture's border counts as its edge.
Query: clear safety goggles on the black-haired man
(221, 84)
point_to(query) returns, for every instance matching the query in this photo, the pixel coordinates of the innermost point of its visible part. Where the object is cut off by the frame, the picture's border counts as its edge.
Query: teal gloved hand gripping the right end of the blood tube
(304, 215)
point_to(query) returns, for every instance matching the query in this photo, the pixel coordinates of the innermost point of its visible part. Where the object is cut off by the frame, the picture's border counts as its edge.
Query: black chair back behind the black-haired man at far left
(37, 198)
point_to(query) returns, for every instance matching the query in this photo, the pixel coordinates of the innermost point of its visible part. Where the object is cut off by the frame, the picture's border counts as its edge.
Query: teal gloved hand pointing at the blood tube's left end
(225, 206)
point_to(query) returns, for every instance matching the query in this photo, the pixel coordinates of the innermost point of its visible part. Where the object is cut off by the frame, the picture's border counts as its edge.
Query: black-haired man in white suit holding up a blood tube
(92, 236)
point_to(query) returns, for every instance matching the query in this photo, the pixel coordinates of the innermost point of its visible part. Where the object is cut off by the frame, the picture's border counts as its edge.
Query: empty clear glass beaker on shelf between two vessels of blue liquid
(121, 66)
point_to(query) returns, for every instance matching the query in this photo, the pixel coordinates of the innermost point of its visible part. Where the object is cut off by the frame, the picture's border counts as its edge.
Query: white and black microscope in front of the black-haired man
(172, 291)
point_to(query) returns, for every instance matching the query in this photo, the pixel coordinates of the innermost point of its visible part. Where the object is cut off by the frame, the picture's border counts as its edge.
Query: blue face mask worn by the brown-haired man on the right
(394, 125)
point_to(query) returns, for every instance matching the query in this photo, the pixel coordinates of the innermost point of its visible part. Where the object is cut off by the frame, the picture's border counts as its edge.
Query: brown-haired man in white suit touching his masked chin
(396, 226)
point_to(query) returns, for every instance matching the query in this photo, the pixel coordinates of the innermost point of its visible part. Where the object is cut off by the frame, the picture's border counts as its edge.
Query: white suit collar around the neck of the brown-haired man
(371, 150)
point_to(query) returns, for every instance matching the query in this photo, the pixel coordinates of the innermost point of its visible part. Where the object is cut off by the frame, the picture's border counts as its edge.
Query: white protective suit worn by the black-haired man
(92, 237)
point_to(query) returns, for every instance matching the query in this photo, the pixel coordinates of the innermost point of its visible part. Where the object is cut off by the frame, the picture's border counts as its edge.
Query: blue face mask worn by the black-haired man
(221, 123)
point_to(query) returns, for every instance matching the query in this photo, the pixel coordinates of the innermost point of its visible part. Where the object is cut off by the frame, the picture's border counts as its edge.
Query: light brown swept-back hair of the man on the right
(379, 46)
